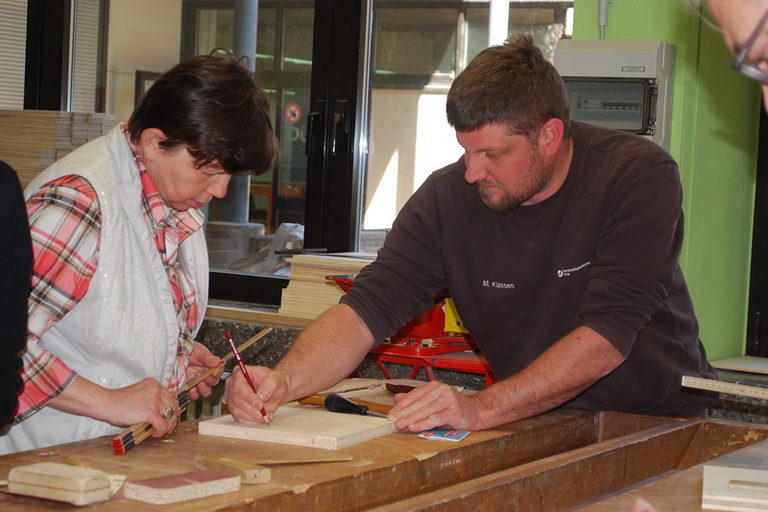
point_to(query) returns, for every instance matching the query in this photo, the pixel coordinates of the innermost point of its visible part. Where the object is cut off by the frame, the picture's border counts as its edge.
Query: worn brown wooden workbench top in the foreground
(561, 460)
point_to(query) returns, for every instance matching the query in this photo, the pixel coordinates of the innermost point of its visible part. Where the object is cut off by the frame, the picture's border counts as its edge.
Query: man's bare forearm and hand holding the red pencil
(326, 352)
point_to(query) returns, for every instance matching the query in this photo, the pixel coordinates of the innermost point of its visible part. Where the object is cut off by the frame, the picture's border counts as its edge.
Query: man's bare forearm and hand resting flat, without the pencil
(567, 368)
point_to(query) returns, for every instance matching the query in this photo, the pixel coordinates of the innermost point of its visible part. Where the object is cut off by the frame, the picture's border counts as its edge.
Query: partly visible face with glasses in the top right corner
(745, 29)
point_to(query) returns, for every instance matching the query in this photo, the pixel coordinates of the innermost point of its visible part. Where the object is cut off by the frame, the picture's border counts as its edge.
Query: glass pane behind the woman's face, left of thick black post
(261, 214)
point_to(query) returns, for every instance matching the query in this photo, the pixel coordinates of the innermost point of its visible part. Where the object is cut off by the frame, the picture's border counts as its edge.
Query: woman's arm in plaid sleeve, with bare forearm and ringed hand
(48, 380)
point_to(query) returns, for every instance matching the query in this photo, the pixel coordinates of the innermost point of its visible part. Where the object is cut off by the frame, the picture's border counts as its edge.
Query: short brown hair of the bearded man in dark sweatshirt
(510, 84)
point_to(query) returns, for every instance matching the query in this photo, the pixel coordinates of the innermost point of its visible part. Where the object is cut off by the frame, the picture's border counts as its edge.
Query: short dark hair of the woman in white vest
(214, 107)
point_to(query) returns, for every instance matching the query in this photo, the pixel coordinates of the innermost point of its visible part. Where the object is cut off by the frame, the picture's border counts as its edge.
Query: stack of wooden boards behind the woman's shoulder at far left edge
(31, 140)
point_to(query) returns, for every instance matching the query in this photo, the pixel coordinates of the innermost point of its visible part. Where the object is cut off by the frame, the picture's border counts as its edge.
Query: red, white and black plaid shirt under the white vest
(65, 227)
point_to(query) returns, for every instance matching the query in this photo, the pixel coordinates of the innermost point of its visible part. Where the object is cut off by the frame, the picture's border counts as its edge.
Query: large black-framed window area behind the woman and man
(360, 120)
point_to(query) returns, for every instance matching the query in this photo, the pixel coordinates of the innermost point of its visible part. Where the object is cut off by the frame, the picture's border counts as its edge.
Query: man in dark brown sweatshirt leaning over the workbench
(557, 240)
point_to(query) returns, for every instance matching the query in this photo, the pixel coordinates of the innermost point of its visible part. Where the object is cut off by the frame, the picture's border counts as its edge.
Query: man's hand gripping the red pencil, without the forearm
(245, 405)
